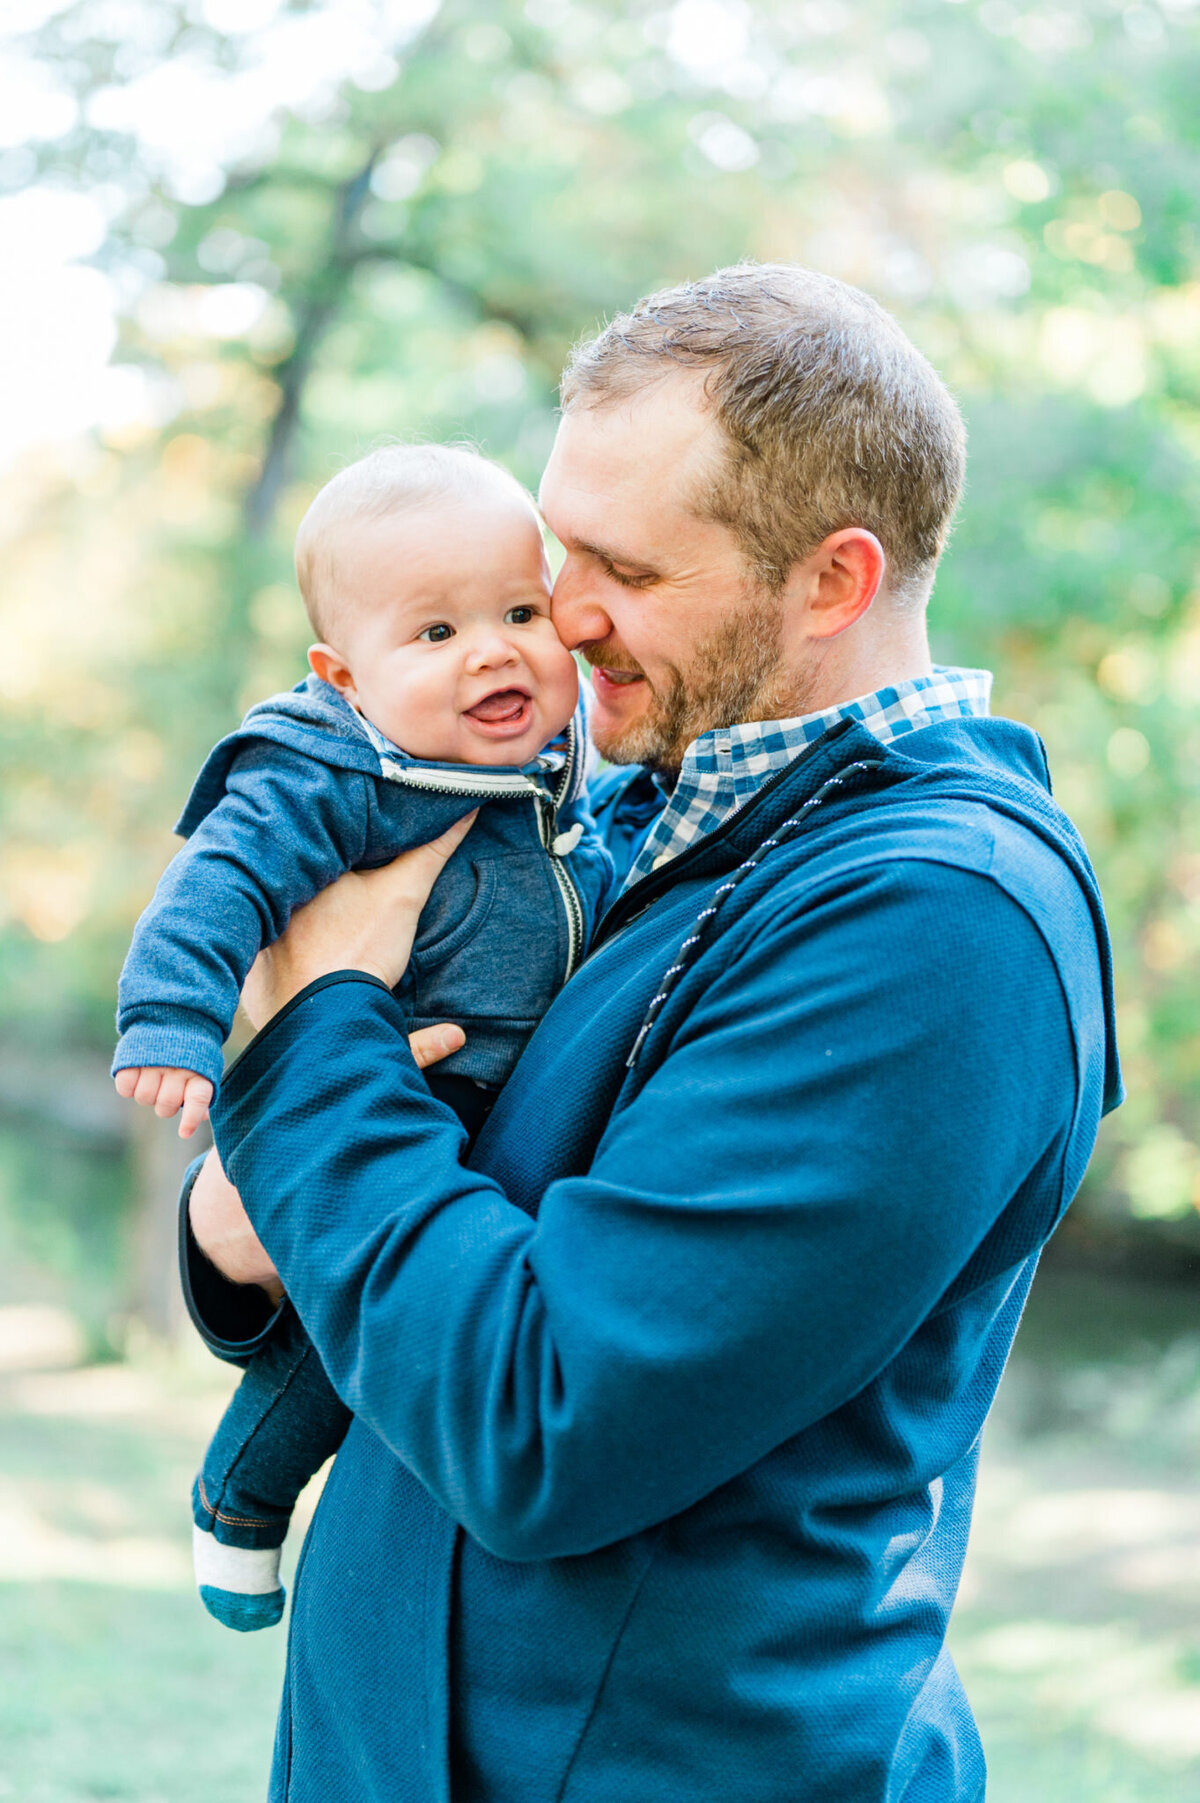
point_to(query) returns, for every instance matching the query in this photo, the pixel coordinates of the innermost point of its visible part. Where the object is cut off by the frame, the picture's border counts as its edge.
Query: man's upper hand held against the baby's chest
(367, 920)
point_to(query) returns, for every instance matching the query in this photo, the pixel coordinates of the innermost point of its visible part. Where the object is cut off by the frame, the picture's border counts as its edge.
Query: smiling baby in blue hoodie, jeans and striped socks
(439, 686)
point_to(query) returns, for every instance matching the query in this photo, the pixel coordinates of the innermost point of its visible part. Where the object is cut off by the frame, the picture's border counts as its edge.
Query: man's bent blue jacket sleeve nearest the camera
(848, 1112)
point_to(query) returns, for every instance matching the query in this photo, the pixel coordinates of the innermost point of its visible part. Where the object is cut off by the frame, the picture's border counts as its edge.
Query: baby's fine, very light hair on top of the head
(388, 480)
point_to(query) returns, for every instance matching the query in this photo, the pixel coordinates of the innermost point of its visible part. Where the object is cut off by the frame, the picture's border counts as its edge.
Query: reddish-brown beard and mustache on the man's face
(734, 675)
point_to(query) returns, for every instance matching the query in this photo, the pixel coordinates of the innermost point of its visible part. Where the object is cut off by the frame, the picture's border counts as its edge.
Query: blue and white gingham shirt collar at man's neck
(723, 769)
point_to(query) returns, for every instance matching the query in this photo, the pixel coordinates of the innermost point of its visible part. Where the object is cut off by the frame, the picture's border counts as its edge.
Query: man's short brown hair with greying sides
(832, 416)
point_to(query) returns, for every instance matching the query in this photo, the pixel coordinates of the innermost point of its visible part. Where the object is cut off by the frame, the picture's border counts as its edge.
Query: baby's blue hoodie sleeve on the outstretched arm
(284, 830)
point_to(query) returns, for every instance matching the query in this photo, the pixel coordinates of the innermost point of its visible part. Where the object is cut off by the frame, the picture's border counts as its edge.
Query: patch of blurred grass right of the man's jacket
(1078, 1627)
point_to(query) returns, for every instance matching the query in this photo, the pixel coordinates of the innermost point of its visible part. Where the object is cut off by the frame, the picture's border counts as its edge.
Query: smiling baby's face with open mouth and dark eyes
(444, 632)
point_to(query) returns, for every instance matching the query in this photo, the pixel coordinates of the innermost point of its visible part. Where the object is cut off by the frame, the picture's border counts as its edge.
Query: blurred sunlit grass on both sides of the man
(1078, 1631)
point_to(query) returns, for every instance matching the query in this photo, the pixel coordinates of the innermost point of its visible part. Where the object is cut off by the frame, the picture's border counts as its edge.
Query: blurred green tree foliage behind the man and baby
(412, 253)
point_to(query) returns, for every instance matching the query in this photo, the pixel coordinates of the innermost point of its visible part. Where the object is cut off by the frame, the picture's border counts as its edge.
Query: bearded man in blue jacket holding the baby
(668, 1404)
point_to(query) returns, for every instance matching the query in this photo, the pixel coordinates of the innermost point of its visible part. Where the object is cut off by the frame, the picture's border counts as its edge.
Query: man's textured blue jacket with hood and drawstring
(668, 1404)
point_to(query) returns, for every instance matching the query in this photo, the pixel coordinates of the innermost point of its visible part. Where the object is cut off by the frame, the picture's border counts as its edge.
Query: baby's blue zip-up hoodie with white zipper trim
(302, 792)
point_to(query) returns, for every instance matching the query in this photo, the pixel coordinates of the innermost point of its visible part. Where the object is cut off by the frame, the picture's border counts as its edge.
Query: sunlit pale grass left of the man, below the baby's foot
(113, 1679)
